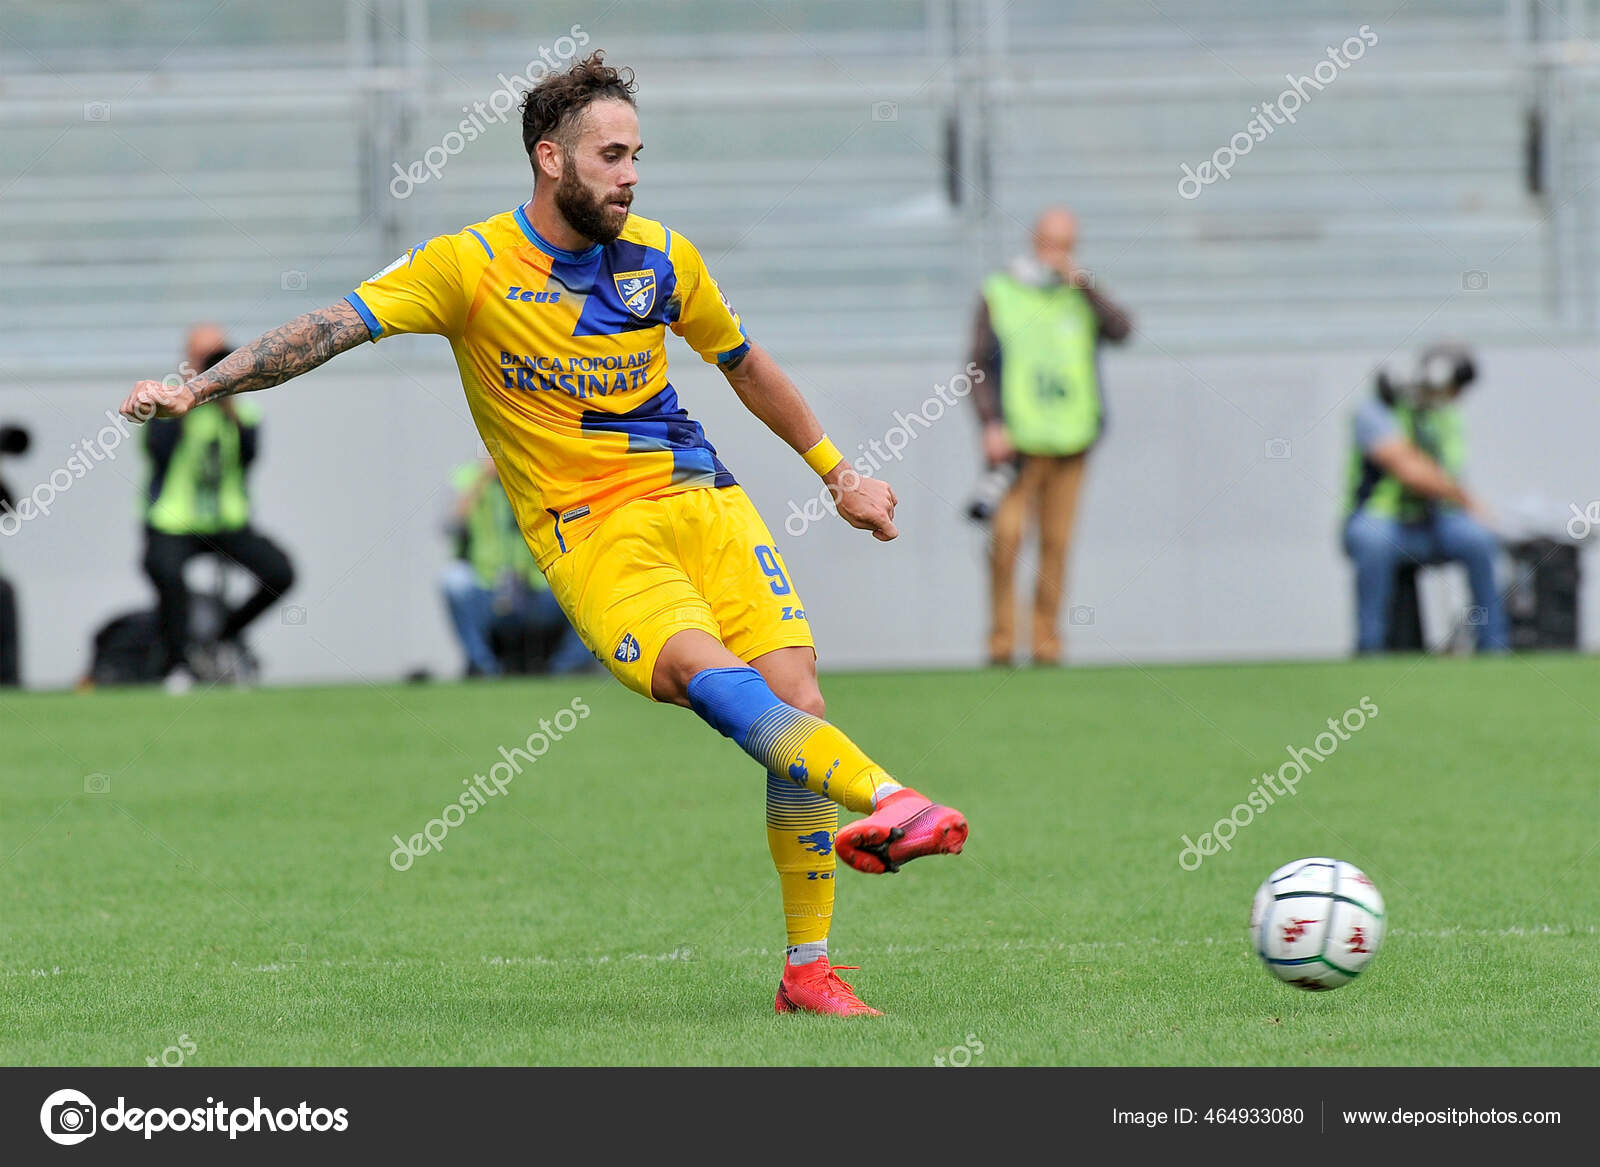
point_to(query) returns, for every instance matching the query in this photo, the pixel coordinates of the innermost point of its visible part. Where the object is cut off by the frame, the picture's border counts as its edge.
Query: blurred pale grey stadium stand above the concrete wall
(244, 162)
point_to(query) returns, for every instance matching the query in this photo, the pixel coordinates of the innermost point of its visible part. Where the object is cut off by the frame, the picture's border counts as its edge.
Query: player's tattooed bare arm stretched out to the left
(273, 359)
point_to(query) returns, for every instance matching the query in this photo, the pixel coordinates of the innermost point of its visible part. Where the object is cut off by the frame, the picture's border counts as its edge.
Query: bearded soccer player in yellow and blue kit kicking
(558, 315)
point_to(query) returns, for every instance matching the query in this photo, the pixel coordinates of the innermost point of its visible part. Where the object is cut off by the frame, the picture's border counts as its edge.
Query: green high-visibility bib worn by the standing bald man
(1049, 382)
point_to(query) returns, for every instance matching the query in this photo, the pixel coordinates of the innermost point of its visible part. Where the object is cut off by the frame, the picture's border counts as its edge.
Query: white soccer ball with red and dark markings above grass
(1318, 923)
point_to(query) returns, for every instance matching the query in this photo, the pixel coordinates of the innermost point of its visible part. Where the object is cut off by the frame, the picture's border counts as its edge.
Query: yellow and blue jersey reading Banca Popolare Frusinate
(564, 361)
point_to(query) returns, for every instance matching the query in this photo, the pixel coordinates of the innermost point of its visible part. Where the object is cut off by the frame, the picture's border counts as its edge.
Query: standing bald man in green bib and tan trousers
(1038, 343)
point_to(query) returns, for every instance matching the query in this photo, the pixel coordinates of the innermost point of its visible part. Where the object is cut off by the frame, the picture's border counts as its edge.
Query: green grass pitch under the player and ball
(217, 870)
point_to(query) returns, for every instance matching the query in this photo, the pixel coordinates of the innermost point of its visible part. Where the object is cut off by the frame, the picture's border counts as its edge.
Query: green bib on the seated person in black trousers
(204, 491)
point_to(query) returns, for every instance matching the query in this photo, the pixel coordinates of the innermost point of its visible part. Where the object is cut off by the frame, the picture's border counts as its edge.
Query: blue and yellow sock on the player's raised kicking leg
(794, 745)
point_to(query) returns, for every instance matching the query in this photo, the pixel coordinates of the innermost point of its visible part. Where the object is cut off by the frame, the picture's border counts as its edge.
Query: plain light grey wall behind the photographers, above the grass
(1196, 539)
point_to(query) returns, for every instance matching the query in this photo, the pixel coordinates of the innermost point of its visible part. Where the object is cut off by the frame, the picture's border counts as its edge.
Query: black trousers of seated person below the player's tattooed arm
(164, 563)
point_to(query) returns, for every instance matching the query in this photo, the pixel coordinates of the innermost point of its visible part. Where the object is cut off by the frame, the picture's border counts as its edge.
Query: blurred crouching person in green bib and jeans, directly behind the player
(500, 604)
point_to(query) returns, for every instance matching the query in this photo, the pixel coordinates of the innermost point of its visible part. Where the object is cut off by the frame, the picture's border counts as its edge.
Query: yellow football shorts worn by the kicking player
(658, 566)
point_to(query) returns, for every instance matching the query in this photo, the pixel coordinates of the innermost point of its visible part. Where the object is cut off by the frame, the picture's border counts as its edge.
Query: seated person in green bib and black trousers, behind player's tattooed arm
(196, 503)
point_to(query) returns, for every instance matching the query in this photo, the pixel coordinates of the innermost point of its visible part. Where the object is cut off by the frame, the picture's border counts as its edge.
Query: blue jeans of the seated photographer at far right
(1378, 547)
